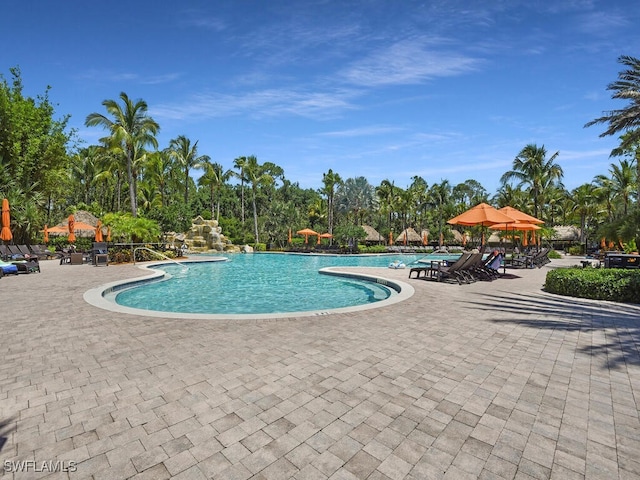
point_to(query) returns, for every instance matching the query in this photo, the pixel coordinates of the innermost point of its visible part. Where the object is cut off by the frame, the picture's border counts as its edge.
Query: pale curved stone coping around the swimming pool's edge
(96, 296)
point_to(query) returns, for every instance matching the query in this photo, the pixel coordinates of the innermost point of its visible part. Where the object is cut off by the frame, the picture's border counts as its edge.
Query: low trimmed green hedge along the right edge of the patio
(614, 284)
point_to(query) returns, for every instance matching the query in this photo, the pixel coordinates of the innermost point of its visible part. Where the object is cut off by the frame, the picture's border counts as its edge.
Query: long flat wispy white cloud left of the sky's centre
(259, 104)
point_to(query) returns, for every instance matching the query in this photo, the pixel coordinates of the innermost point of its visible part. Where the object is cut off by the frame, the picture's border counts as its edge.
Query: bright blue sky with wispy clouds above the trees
(386, 89)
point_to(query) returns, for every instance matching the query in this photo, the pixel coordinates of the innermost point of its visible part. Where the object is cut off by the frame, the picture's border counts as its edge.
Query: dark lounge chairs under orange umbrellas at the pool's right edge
(470, 267)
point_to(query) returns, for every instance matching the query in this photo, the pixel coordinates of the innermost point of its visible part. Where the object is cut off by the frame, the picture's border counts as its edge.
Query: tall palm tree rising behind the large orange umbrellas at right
(533, 169)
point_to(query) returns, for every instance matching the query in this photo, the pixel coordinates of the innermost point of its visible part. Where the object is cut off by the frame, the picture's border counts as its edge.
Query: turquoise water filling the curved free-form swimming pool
(260, 283)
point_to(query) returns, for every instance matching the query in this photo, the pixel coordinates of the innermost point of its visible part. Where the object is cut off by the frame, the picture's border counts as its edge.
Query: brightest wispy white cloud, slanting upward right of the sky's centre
(408, 62)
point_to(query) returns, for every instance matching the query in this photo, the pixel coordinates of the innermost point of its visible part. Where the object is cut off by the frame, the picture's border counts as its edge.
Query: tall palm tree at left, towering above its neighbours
(131, 129)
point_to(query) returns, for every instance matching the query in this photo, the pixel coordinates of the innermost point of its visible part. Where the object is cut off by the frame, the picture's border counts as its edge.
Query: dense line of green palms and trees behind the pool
(143, 189)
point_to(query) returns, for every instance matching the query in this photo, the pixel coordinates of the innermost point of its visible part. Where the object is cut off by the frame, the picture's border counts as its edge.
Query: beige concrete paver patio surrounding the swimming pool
(493, 380)
